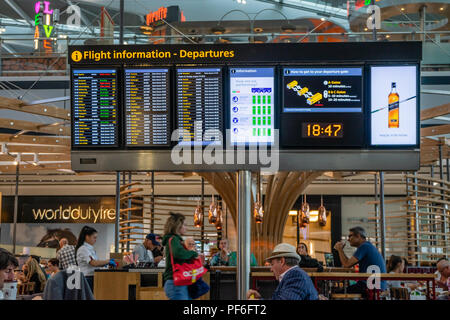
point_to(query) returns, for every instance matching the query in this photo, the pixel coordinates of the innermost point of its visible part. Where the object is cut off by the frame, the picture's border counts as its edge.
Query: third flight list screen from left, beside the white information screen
(199, 106)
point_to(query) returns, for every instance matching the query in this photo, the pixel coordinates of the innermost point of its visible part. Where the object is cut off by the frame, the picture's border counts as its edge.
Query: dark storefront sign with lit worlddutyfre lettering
(53, 209)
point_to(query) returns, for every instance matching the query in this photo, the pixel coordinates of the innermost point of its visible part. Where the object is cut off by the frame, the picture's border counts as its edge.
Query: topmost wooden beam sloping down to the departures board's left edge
(39, 109)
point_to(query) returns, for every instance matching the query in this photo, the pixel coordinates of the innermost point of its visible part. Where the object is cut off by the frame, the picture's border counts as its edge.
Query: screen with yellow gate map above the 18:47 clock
(337, 89)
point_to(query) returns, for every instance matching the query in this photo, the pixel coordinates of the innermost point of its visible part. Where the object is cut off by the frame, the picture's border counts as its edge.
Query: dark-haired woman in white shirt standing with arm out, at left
(86, 256)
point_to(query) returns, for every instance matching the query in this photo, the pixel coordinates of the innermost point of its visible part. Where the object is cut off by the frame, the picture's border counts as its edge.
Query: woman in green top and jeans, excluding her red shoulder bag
(173, 230)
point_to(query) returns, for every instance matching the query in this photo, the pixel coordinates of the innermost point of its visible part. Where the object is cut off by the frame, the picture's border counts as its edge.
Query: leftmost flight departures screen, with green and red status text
(95, 116)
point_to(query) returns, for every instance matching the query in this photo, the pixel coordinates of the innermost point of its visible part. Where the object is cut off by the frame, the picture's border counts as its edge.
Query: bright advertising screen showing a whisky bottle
(393, 105)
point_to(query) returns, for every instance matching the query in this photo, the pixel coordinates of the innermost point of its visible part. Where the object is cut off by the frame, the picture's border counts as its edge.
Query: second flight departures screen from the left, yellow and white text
(147, 107)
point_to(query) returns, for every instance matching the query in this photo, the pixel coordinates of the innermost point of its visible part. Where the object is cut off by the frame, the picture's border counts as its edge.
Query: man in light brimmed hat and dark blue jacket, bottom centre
(294, 284)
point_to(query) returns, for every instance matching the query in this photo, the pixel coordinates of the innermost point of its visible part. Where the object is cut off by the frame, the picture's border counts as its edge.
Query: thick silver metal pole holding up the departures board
(244, 213)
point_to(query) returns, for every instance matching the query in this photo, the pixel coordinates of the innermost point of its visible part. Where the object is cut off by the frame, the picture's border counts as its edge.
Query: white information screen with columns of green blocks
(251, 106)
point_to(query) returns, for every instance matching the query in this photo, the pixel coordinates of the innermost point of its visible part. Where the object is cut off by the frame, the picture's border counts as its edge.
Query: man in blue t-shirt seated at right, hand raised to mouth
(366, 256)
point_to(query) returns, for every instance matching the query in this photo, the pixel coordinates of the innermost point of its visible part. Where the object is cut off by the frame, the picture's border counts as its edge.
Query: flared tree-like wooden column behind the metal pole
(282, 191)
